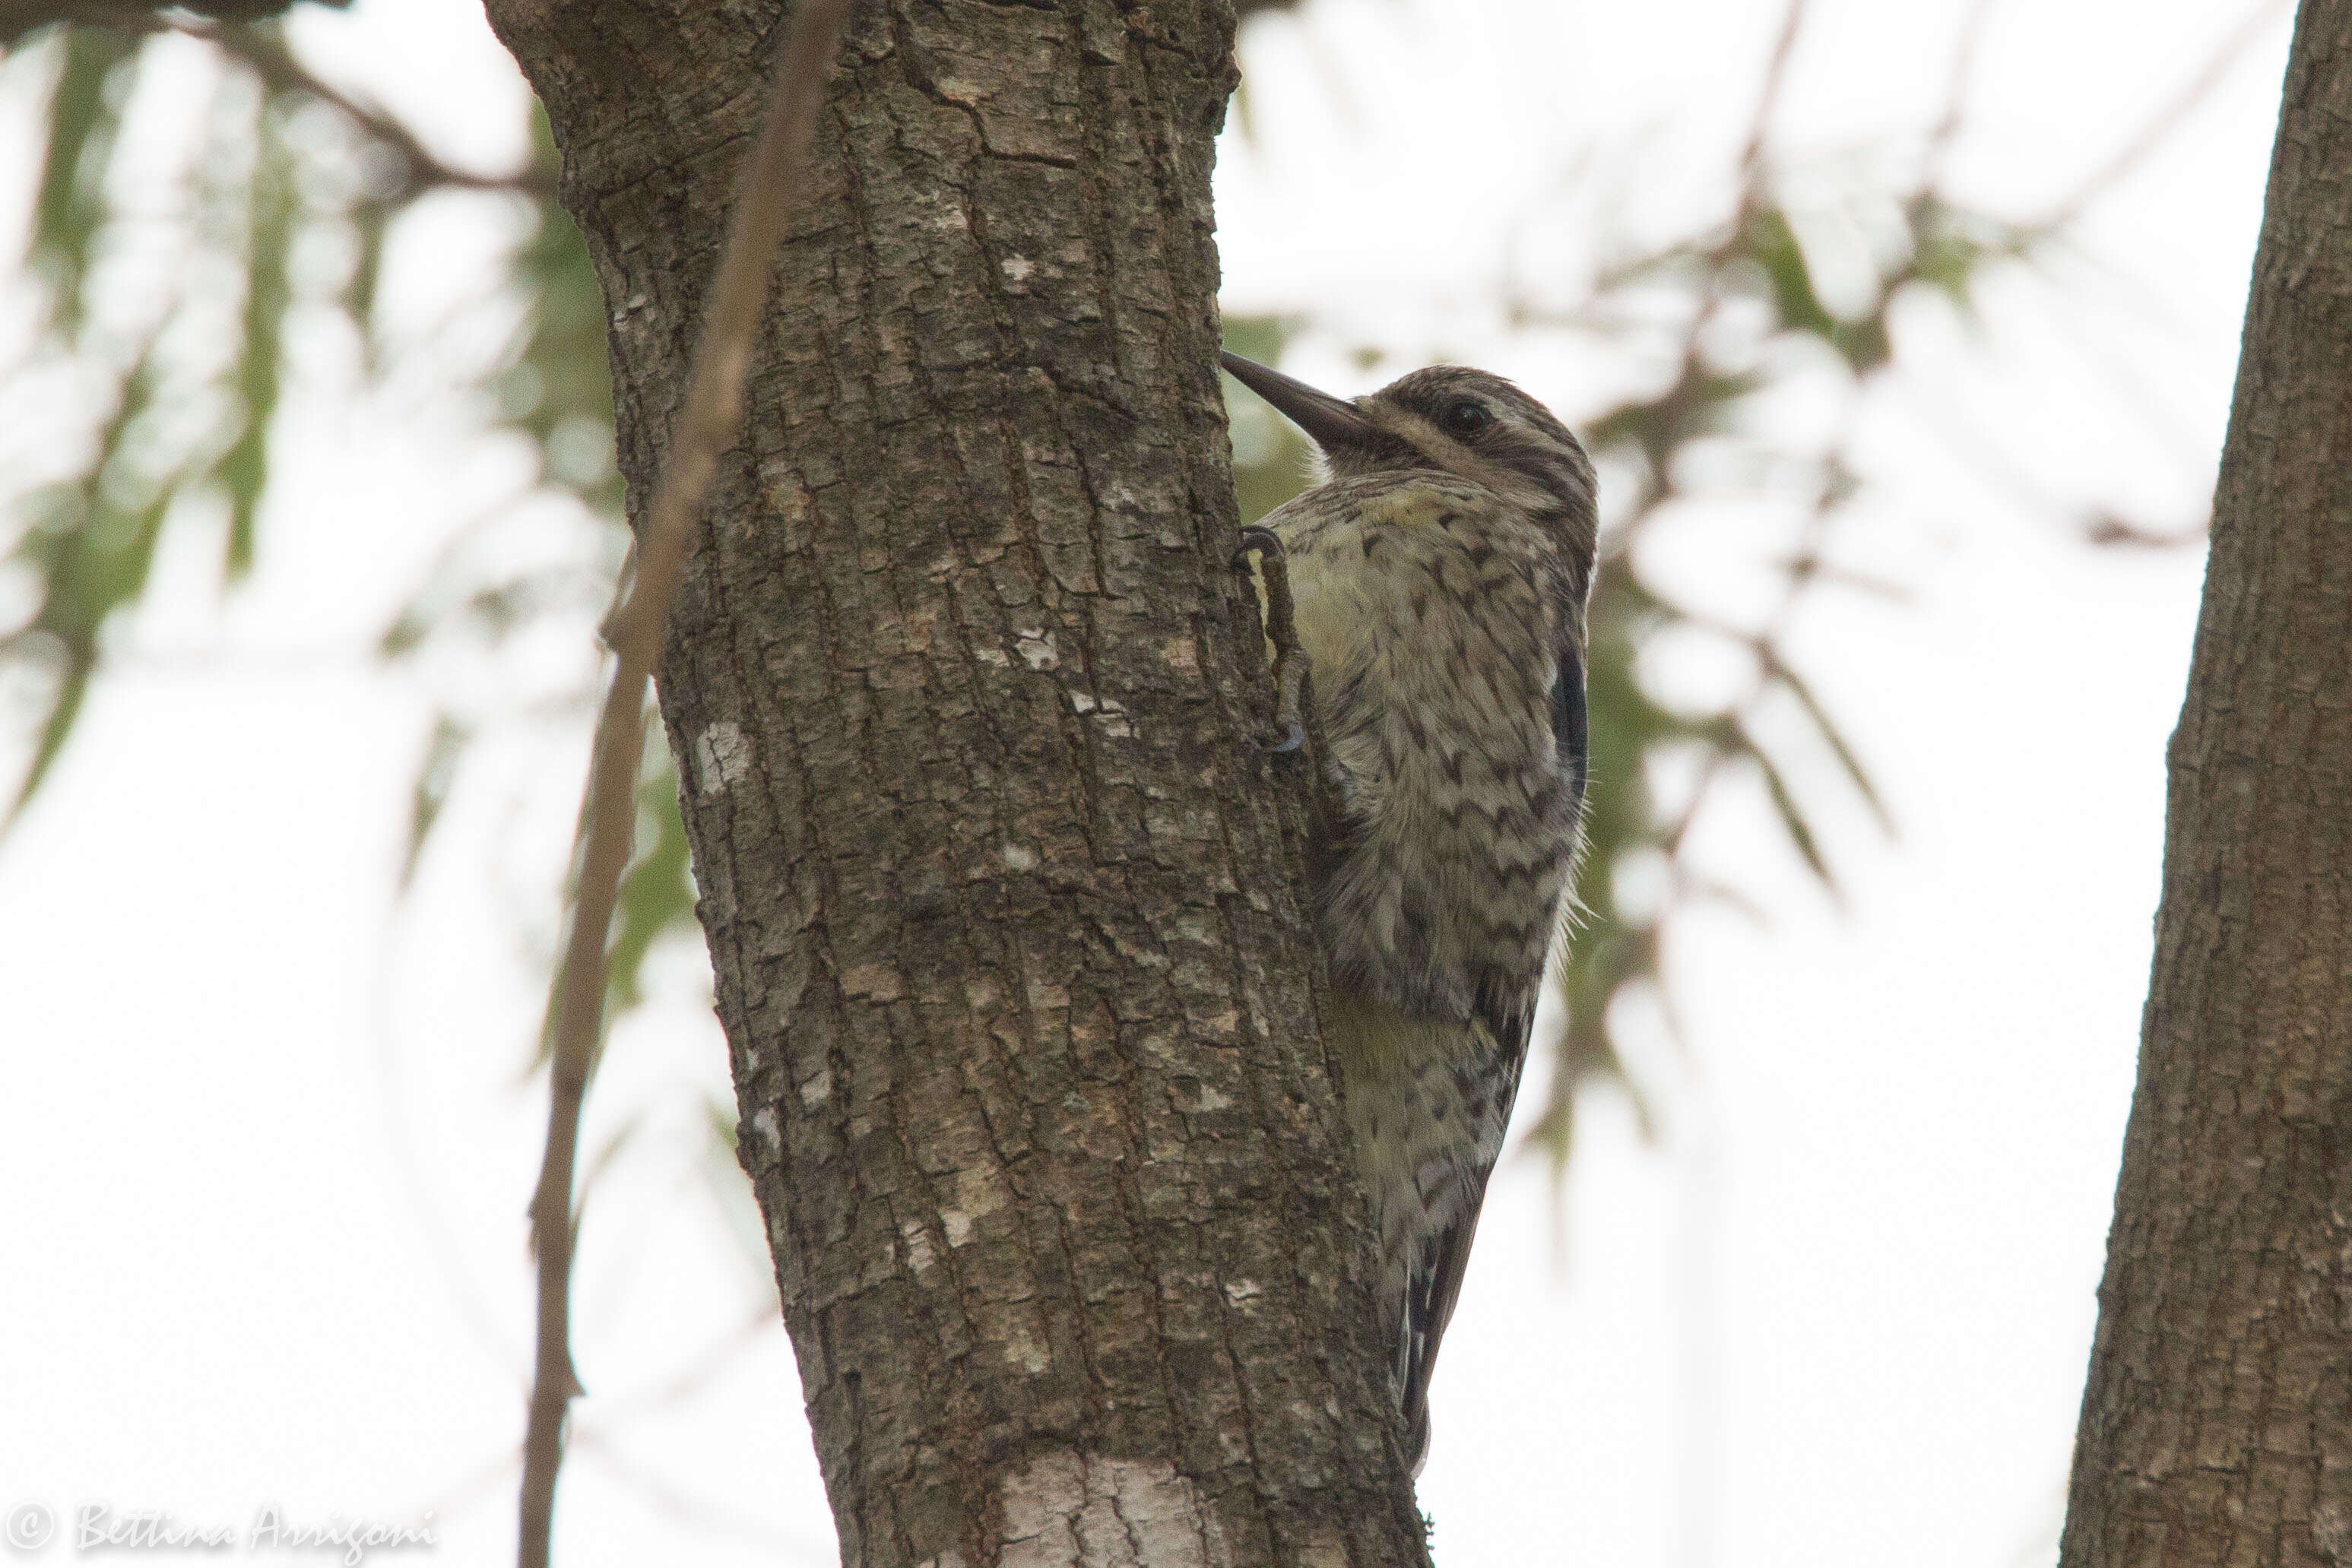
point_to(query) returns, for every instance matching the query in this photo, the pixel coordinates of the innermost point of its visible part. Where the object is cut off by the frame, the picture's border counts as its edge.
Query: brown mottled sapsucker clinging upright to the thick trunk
(1438, 584)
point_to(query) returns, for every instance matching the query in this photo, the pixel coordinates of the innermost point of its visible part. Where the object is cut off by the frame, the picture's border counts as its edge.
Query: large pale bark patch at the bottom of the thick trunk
(1069, 1510)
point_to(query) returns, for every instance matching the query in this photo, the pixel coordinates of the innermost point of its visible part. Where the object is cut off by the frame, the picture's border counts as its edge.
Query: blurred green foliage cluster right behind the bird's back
(1753, 323)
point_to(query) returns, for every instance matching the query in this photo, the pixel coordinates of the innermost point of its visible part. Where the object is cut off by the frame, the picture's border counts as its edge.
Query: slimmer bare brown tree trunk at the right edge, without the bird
(2219, 1416)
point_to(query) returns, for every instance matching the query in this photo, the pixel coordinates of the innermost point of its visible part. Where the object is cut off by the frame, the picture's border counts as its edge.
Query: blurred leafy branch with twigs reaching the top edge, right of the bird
(1735, 302)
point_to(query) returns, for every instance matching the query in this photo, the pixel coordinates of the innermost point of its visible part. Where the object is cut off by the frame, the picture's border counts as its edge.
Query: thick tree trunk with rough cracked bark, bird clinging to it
(1001, 894)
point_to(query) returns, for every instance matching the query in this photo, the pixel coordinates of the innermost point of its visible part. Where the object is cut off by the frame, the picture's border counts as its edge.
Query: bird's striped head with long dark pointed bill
(1450, 420)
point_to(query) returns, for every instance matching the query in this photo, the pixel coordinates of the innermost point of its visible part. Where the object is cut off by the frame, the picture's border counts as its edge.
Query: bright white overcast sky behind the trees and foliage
(267, 1144)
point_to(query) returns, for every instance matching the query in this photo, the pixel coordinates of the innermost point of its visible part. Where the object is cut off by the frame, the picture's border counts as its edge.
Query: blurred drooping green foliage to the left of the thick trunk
(286, 208)
